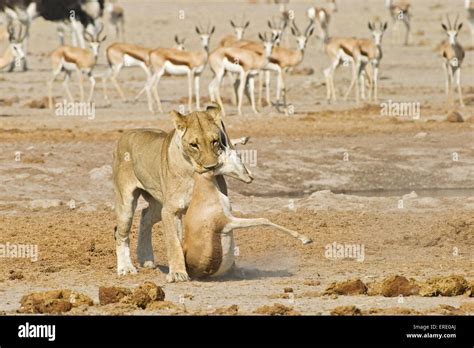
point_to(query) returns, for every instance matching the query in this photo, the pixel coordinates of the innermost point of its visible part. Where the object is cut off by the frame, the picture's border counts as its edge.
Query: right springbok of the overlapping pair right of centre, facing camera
(371, 53)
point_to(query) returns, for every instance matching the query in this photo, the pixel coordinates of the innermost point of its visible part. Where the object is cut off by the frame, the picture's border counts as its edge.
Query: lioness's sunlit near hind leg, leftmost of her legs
(125, 206)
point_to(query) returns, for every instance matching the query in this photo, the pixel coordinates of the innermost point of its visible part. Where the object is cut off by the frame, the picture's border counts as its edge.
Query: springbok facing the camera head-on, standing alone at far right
(453, 55)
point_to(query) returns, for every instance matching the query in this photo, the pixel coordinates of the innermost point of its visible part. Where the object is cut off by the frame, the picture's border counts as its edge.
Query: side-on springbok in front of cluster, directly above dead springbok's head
(244, 62)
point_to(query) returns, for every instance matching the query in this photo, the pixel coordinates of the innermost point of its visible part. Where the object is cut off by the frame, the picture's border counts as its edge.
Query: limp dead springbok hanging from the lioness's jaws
(208, 242)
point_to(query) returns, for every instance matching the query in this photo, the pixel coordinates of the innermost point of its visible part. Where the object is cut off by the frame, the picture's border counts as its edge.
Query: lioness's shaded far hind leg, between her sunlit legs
(150, 216)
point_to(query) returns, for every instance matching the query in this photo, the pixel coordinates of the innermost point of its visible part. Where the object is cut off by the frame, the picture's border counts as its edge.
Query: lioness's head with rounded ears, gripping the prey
(199, 133)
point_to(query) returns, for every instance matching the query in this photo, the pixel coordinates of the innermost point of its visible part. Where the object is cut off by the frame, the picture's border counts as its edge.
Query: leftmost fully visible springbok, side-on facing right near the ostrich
(80, 60)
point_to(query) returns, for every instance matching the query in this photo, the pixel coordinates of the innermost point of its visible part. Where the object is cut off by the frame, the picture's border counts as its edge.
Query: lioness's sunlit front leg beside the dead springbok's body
(174, 250)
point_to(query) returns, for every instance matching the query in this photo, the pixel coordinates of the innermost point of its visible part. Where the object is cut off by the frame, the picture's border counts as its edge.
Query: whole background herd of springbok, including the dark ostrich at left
(240, 59)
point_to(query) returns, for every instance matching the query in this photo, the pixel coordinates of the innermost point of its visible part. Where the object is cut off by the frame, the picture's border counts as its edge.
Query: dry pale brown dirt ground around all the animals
(339, 173)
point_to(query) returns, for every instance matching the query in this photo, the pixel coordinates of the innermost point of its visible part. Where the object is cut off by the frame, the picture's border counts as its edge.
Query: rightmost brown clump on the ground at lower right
(444, 286)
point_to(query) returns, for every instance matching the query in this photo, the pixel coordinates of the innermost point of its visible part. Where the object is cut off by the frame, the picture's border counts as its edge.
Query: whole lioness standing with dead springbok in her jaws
(160, 166)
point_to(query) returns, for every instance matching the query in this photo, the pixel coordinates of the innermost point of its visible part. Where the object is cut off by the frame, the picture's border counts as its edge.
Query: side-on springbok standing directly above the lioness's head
(176, 62)
